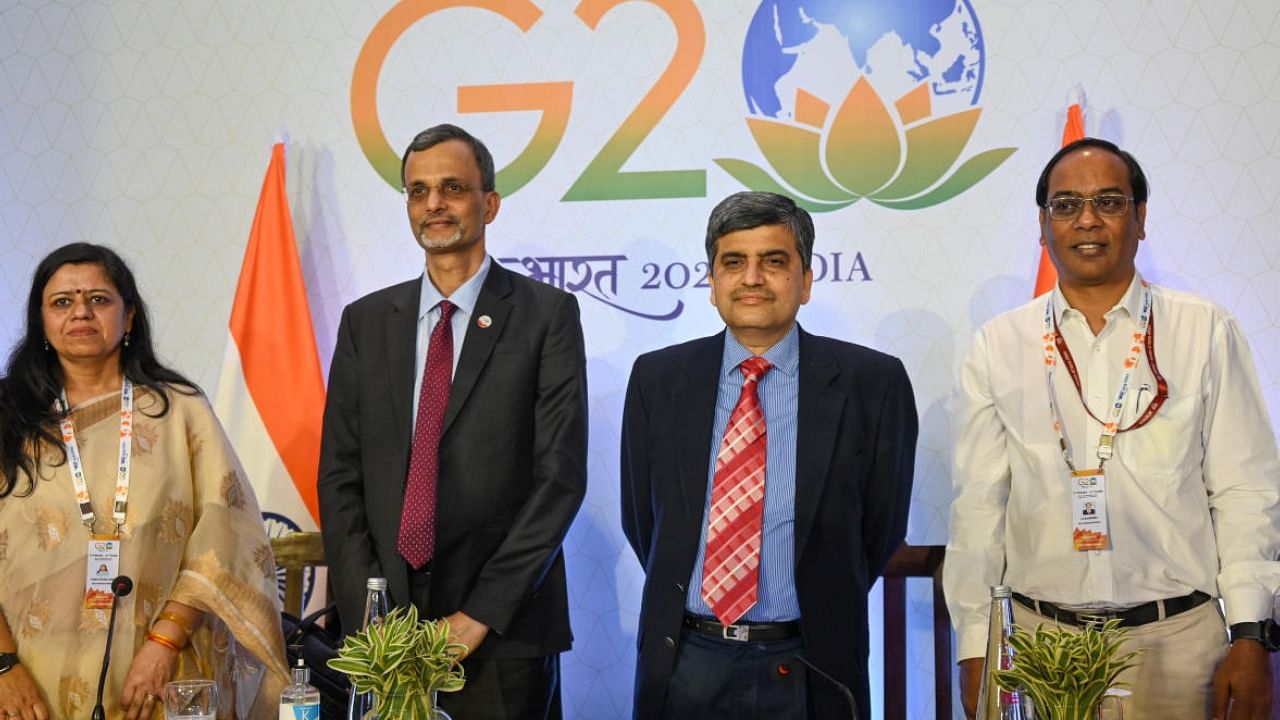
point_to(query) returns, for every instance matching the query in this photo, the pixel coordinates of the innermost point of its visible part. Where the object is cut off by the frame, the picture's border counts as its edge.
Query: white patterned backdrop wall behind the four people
(148, 126)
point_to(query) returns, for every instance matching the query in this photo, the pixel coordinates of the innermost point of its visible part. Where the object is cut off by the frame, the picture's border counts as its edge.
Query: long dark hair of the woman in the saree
(34, 380)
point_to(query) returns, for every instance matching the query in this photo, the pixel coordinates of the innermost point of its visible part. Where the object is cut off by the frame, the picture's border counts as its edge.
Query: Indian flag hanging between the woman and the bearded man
(271, 397)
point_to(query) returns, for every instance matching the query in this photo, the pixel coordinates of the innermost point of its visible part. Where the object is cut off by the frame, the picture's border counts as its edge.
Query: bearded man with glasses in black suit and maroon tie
(460, 491)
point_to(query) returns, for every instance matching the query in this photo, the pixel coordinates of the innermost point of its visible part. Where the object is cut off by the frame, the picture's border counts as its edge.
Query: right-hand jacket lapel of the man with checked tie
(820, 413)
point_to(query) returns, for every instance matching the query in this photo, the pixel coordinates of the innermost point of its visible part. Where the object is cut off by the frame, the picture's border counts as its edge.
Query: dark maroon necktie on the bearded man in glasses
(418, 521)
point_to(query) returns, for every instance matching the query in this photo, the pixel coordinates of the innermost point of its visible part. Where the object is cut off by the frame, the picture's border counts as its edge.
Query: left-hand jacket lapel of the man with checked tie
(693, 404)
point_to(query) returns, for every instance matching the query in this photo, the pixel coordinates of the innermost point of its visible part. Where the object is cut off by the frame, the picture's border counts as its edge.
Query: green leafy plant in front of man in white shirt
(1067, 675)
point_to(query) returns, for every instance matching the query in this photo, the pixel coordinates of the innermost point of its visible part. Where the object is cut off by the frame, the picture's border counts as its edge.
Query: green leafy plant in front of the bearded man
(405, 662)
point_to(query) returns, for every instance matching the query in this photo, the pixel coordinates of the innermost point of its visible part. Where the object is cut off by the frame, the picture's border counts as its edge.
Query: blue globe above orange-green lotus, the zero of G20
(829, 158)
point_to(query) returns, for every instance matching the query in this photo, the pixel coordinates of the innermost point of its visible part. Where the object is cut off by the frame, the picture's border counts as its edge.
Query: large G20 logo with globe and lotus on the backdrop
(815, 74)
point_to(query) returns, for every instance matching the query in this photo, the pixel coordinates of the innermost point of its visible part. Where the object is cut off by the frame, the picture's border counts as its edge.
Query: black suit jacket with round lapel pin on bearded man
(513, 461)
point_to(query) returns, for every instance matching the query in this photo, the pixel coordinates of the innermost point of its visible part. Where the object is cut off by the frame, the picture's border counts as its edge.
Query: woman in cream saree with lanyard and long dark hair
(204, 600)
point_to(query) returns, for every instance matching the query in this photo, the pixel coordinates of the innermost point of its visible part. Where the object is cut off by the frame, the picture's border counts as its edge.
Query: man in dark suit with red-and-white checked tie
(839, 444)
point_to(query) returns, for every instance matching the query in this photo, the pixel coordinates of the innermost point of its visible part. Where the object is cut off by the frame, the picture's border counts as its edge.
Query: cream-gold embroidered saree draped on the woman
(194, 535)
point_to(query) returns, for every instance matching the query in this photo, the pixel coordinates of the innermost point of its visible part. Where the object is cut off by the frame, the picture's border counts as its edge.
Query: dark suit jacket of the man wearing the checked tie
(856, 455)
